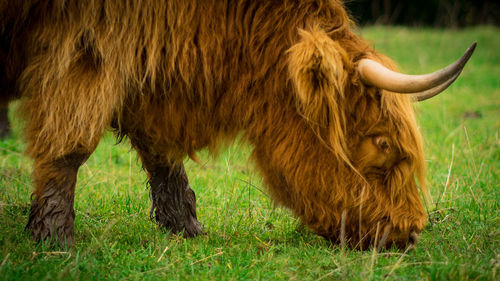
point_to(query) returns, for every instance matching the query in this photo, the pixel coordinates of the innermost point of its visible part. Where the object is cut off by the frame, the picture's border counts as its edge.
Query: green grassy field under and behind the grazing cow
(247, 238)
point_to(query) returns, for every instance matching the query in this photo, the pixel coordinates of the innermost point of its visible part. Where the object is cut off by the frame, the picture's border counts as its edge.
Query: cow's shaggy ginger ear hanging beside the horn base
(317, 67)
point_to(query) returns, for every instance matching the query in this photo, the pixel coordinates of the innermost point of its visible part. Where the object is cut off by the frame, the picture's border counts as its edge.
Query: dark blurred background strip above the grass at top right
(435, 13)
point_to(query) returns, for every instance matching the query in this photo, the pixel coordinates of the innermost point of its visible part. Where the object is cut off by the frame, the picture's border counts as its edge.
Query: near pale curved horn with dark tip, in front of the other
(375, 74)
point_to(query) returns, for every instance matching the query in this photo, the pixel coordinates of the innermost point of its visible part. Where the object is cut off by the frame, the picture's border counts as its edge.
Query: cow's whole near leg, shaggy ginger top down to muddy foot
(66, 112)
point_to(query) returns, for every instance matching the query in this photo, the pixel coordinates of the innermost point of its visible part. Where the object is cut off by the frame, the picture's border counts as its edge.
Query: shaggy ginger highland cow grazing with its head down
(331, 136)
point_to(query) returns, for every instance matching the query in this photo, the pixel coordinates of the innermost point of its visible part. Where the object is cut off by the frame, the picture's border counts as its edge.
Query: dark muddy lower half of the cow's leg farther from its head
(52, 214)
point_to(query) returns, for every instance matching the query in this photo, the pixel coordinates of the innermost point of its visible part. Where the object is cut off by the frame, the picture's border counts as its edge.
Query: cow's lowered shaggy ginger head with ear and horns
(351, 165)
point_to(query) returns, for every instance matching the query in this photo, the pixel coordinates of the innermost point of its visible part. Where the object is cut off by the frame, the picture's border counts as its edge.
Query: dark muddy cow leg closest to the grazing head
(174, 202)
